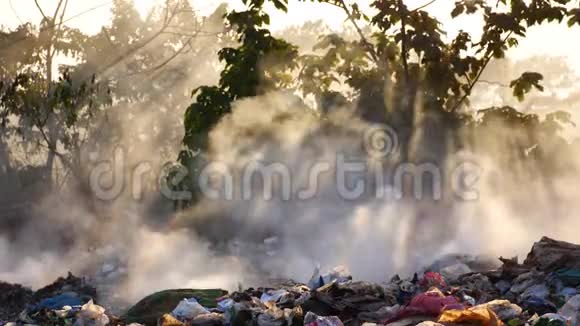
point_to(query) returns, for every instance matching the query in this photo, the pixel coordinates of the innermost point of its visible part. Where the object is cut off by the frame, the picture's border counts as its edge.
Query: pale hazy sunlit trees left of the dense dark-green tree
(134, 70)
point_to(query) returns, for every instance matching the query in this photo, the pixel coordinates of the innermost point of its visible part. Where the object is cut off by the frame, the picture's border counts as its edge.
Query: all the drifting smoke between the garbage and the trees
(227, 241)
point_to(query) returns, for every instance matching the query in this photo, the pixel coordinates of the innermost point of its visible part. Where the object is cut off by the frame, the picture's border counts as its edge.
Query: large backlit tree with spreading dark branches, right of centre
(407, 53)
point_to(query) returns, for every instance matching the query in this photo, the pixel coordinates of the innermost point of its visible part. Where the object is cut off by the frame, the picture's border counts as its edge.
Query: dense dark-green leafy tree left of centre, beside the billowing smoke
(259, 64)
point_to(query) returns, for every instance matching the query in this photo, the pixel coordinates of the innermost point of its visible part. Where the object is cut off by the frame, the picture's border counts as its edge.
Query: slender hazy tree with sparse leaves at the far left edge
(43, 107)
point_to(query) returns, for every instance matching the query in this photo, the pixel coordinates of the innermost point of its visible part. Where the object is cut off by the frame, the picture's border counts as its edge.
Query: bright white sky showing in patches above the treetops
(91, 15)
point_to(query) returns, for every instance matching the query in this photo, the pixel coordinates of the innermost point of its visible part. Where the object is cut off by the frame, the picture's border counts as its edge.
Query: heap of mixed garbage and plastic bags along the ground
(542, 290)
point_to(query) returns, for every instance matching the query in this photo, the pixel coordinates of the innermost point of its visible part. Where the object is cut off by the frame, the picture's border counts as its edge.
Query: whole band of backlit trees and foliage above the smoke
(400, 66)
